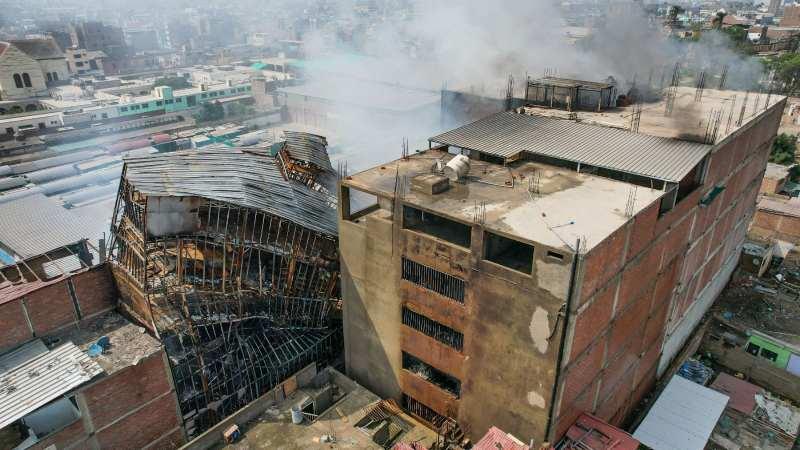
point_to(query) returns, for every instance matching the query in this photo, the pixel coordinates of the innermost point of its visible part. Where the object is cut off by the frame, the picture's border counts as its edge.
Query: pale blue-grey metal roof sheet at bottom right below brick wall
(682, 418)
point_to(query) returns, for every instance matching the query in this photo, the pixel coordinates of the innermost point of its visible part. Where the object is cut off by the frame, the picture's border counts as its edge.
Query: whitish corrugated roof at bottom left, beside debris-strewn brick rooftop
(41, 379)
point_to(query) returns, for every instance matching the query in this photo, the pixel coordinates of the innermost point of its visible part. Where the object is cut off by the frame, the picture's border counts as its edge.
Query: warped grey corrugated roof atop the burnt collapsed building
(237, 177)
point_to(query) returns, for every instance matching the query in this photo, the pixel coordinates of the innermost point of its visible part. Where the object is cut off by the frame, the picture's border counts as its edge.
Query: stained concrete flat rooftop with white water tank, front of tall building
(536, 202)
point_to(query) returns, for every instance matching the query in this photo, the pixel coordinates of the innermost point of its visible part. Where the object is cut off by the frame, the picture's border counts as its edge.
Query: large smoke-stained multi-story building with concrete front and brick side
(561, 272)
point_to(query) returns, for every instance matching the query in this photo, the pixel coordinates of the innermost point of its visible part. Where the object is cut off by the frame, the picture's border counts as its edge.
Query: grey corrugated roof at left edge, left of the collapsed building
(35, 224)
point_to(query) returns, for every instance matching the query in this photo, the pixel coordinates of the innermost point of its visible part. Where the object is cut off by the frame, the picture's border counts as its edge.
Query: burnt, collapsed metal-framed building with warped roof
(229, 256)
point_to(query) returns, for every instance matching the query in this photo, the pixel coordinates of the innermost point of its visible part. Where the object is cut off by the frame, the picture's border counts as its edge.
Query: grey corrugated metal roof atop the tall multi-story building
(507, 134)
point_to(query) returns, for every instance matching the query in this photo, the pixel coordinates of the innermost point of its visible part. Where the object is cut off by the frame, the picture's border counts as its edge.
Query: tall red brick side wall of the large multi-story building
(638, 285)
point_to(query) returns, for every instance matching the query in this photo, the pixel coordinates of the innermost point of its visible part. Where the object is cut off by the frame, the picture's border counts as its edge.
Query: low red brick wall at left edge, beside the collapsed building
(52, 307)
